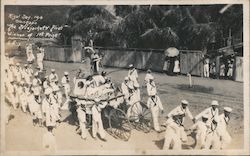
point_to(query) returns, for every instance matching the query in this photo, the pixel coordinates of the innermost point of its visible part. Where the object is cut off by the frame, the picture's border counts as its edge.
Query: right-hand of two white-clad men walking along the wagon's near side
(97, 125)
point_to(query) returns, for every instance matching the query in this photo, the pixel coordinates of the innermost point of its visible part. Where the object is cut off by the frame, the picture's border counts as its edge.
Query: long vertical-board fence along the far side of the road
(190, 61)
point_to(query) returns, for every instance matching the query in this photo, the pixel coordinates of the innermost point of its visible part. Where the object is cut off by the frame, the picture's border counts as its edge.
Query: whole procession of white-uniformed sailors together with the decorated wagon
(101, 107)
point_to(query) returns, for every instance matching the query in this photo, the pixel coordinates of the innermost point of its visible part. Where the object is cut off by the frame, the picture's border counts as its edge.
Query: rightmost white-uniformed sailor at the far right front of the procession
(224, 118)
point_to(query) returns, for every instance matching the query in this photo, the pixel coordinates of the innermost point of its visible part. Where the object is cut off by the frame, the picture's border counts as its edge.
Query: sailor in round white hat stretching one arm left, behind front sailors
(211, 112)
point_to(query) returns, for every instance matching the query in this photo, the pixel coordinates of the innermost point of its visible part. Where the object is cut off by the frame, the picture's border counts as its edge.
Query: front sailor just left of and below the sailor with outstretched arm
(201, 128)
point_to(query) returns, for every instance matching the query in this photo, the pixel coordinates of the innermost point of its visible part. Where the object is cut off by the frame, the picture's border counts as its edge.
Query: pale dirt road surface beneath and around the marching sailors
(21, 135)
